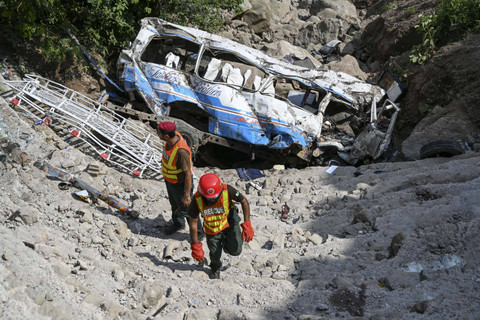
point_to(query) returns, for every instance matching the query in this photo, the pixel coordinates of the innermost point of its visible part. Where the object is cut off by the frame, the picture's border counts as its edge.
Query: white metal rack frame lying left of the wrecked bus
(116, 139)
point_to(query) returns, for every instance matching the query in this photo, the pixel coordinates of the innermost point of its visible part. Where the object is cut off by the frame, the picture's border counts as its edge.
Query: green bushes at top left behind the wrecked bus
(102, 26)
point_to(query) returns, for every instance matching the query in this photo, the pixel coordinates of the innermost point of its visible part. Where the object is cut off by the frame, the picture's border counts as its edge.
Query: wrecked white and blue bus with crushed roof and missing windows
(228, 95)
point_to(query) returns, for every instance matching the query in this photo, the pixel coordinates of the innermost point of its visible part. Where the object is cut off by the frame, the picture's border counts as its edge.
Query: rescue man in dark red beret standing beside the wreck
(177, 170)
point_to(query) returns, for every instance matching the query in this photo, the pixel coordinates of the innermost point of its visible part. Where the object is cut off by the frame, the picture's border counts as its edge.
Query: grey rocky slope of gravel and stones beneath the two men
(391, 240)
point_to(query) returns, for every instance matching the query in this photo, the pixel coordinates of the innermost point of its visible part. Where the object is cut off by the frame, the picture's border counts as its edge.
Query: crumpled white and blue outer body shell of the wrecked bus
(256, 116)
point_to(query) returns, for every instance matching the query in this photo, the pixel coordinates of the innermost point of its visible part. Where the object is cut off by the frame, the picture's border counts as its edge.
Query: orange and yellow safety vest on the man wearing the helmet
(214, 216)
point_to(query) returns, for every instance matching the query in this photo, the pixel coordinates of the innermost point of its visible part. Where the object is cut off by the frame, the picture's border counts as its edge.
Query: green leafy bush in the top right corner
(453, 17)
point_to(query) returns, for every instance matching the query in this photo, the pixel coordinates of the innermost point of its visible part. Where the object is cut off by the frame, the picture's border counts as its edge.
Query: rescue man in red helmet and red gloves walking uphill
(214, 200)
